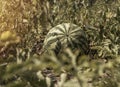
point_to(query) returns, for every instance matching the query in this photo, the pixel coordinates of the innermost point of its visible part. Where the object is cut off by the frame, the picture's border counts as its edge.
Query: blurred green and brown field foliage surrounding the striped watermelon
(20, 64)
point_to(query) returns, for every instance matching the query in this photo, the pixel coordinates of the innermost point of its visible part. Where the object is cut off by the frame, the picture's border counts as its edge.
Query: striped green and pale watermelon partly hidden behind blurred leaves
(66, 35)
